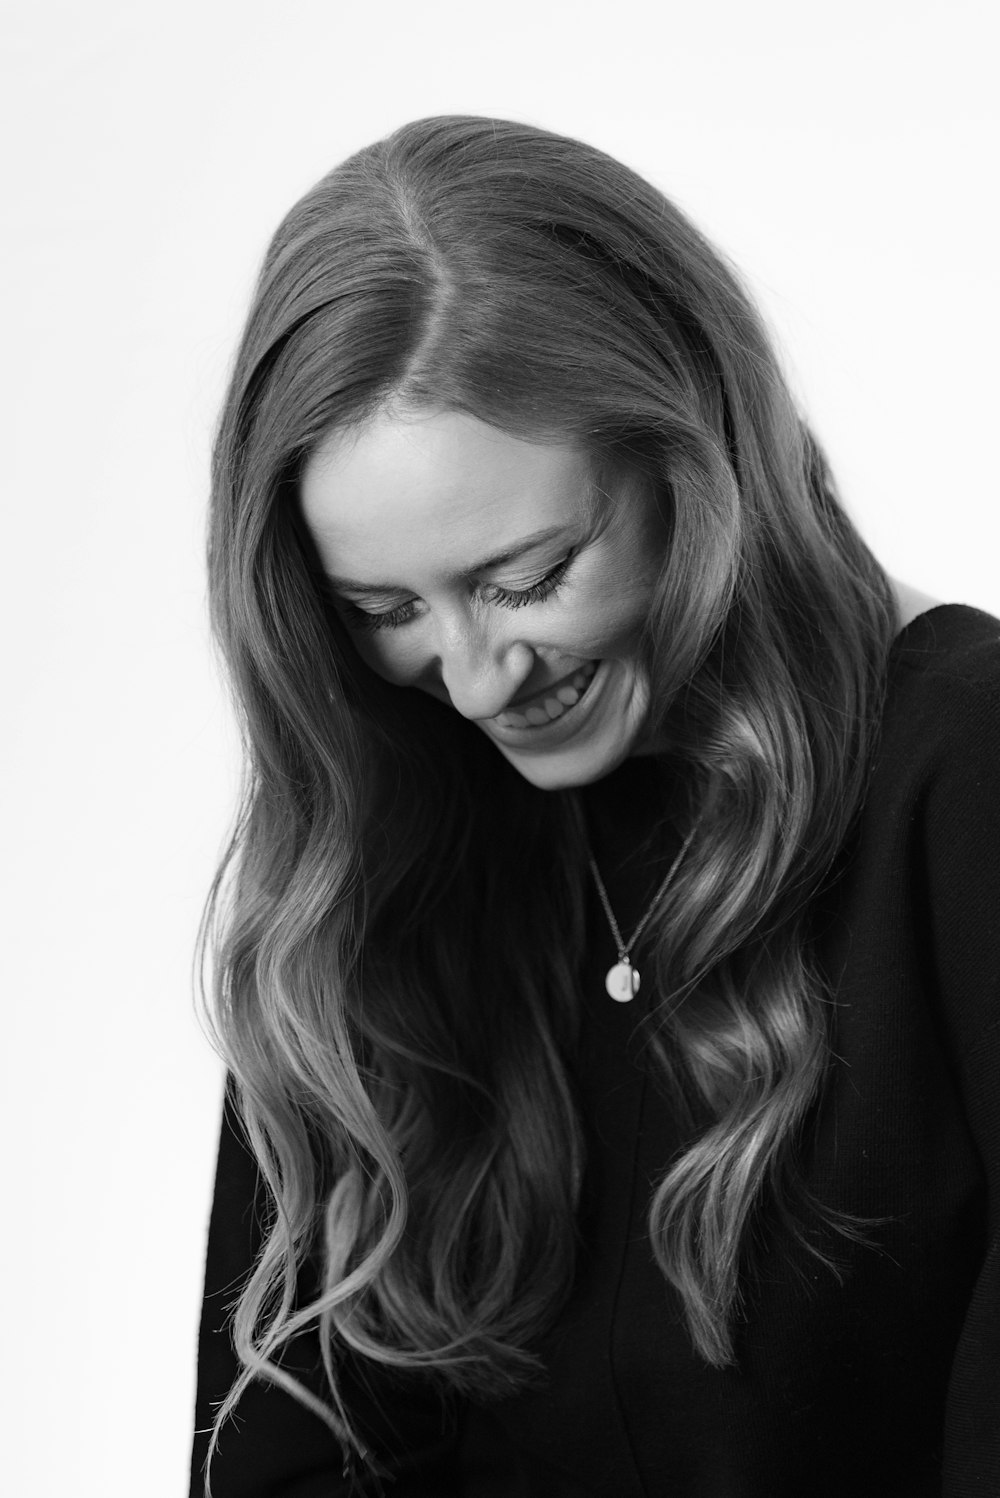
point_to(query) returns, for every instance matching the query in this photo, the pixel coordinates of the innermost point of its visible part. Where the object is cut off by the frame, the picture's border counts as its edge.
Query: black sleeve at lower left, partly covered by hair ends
(275, 1448)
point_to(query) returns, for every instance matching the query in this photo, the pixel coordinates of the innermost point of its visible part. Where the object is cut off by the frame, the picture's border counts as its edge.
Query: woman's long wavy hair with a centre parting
(403, 1067)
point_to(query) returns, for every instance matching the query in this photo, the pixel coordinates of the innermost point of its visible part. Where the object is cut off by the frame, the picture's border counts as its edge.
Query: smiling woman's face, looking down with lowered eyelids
(477, 567)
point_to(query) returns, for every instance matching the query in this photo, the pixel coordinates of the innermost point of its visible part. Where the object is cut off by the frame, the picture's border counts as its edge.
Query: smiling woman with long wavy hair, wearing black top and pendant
(607, 970)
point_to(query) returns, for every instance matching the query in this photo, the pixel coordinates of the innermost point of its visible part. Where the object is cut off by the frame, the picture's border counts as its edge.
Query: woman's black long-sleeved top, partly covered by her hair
(885, 1383)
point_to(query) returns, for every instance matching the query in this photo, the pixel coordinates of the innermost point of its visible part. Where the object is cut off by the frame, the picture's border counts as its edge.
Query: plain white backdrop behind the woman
(845, 157)
